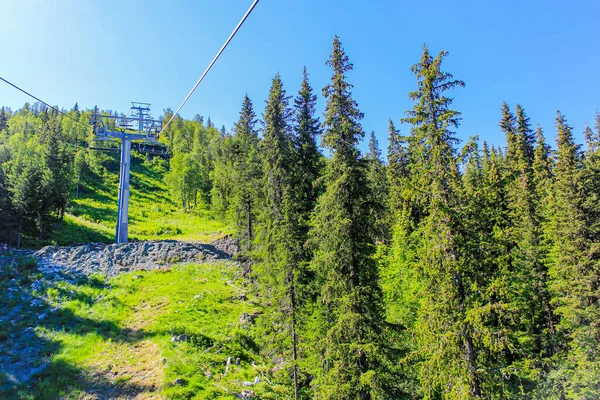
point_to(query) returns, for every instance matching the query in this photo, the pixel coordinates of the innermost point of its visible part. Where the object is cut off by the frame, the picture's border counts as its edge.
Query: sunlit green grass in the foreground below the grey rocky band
(115, 337)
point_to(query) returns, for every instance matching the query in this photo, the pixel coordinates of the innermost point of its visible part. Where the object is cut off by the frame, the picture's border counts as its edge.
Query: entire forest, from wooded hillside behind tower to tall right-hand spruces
(449, 270)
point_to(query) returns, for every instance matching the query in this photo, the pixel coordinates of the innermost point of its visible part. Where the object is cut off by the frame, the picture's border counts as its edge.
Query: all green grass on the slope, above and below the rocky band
(113, 339)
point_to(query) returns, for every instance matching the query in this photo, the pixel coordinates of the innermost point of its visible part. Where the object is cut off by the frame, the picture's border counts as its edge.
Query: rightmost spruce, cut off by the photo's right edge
(573, 265)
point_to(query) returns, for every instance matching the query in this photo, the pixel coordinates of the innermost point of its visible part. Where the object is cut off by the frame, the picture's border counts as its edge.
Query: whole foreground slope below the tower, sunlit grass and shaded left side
(163, 332)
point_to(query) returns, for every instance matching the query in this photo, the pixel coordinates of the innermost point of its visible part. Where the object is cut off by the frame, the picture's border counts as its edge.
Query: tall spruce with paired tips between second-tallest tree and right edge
(523, 294)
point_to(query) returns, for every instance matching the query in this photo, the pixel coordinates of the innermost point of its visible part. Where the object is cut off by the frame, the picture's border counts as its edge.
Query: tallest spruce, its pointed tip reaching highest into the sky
(349, 320)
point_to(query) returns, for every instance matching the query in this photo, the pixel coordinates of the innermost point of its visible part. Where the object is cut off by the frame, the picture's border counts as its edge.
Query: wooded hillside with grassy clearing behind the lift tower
(57, 190)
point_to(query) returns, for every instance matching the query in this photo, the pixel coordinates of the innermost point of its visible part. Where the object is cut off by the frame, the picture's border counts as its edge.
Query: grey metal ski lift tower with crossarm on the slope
(138, 126)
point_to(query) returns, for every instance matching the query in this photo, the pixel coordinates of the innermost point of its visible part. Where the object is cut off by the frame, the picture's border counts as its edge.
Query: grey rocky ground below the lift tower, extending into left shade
(24, 273)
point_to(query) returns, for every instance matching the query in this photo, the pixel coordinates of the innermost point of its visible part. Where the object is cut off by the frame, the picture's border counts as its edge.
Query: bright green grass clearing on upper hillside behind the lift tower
(152, 215)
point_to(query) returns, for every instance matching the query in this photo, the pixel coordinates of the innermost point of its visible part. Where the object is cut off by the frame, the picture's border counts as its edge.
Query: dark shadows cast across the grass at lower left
(28, 324)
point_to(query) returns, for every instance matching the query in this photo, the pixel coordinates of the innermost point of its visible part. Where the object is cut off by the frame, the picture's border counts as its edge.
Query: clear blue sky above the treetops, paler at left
(543, 54)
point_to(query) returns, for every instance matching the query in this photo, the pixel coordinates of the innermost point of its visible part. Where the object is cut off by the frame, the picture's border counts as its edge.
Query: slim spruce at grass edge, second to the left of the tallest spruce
(278, 234)
